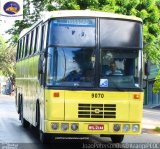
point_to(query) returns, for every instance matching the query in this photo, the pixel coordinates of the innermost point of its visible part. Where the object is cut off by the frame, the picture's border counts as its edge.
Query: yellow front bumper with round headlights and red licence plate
(68, 127)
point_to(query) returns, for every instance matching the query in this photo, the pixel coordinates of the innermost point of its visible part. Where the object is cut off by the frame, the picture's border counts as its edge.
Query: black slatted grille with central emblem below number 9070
(96, 111)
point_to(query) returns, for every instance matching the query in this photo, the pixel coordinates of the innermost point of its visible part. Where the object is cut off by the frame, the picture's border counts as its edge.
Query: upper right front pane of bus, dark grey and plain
(120, 33)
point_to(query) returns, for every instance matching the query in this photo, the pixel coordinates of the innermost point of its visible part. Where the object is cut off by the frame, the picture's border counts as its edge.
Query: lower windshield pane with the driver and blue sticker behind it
(120, 68)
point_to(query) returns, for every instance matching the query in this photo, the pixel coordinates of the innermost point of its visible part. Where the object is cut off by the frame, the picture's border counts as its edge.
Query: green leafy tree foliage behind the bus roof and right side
(148, 10)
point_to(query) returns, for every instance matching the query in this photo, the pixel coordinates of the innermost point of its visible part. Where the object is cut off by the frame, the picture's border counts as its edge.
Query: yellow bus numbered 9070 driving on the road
(62, 84)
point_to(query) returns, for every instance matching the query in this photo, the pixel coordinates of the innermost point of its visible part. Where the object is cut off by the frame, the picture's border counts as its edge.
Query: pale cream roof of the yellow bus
(78, 13)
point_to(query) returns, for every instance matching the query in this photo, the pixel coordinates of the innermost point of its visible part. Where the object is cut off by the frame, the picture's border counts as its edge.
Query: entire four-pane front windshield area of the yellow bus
(80, 55)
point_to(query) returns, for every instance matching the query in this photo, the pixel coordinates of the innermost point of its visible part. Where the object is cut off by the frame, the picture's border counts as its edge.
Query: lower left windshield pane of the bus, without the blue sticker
(71, 67)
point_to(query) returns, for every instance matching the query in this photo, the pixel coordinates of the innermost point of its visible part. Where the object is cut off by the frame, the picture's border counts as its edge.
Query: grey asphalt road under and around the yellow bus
(13, 135)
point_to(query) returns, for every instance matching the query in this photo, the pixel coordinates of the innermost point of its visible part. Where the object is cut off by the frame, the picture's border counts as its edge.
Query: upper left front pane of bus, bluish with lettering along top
(72, 32)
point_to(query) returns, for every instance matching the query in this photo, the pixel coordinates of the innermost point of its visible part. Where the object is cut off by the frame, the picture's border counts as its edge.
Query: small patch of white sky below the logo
(4, 26)
